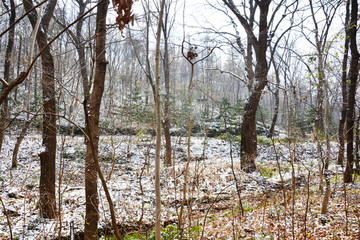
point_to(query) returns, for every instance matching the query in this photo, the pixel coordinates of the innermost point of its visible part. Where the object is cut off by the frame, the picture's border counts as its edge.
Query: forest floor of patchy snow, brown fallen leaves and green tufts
(274, 206)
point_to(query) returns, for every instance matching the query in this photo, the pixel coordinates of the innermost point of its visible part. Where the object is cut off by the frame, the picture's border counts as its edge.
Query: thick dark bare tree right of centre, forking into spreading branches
(259, 43)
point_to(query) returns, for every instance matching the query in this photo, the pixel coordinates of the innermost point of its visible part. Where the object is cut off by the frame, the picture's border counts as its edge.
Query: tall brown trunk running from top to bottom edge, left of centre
(91, 195)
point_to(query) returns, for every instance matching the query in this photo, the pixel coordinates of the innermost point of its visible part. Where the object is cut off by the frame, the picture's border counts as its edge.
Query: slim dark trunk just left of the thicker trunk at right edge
(340, 160)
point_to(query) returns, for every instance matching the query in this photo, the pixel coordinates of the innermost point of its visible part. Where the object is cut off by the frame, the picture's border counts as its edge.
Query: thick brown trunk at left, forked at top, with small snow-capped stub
(47, 156)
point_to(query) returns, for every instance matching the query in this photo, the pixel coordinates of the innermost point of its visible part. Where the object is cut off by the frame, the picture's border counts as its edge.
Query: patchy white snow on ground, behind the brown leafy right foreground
(130, 160)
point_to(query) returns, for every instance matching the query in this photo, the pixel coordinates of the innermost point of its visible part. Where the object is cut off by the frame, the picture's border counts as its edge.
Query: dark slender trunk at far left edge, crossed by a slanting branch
(7, 64)
